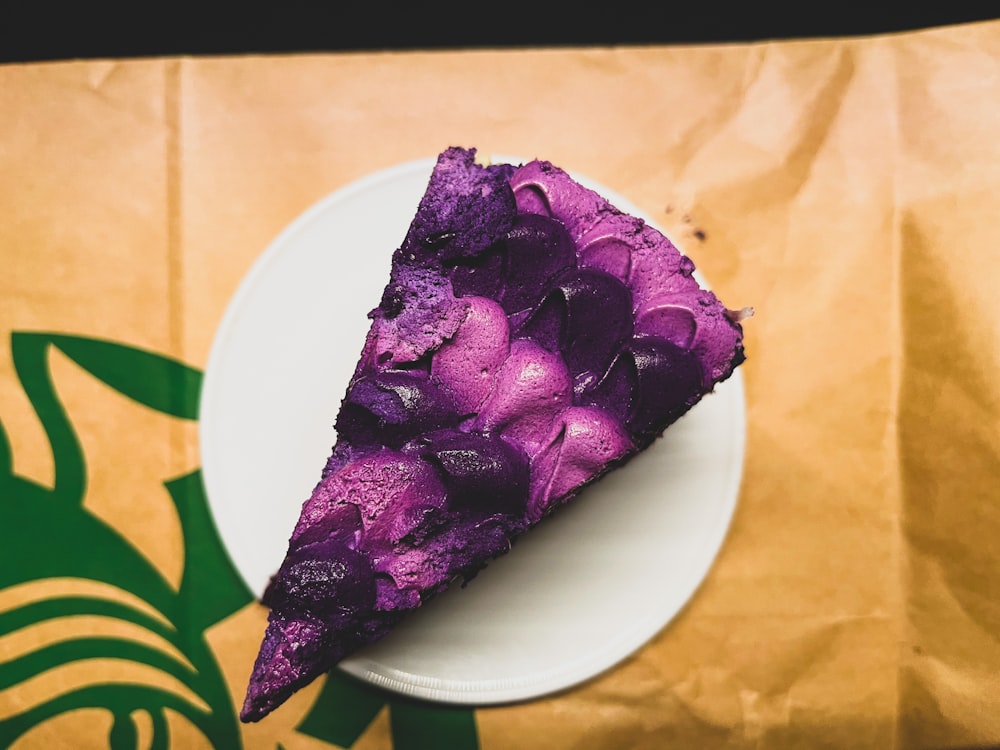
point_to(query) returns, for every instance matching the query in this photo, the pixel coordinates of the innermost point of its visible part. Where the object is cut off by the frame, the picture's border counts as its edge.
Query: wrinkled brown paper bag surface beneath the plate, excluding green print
(847, 189)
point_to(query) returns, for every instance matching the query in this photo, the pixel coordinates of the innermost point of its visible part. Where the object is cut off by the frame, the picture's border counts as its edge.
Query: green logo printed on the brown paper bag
(47, 533)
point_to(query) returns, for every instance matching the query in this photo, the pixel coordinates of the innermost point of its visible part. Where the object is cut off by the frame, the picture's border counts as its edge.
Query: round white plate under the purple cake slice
(578, 594)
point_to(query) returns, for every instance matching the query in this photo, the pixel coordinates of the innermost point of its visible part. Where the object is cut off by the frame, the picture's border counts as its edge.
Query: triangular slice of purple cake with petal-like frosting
(531, 338)
